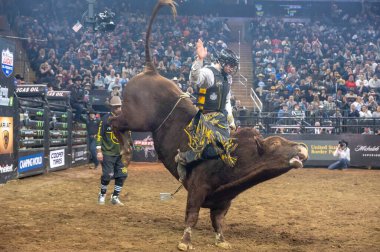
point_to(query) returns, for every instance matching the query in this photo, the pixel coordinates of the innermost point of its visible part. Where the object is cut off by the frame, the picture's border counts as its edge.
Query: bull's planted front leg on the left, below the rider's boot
(195, 199)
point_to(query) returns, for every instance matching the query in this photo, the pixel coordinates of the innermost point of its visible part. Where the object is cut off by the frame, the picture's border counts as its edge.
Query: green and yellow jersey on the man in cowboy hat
(106, 139)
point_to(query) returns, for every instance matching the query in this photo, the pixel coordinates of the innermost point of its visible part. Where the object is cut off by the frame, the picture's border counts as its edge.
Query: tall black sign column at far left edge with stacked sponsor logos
(8, 166)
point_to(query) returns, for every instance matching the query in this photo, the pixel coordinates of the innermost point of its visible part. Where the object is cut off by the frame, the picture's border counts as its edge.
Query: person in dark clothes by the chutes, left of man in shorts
(92, 131)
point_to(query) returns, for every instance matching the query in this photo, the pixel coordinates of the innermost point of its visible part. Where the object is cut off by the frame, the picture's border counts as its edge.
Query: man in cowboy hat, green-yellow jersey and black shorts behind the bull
(108, 151)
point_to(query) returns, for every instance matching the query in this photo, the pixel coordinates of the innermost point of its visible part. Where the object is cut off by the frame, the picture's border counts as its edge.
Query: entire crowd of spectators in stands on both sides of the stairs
(323, 68)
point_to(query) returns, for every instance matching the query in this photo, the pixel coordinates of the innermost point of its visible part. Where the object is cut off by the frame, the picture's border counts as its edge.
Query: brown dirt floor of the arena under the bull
(303, 210)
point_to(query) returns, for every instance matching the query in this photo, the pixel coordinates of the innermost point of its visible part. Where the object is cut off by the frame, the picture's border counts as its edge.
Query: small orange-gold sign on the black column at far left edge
(6, 135)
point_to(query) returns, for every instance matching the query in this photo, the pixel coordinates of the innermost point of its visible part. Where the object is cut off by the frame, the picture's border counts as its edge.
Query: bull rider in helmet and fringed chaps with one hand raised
(215, 110)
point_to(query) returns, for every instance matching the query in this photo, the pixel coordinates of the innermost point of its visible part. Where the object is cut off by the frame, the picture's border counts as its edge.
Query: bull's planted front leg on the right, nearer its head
(217, 217)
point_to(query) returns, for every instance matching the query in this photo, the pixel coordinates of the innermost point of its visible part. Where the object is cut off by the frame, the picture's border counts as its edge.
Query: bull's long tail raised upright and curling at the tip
(149, 65)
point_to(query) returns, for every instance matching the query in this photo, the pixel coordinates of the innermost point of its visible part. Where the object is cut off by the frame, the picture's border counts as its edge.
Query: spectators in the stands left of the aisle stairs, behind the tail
(87, 60)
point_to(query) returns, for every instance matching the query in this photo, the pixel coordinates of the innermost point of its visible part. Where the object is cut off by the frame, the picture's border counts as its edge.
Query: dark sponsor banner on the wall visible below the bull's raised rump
(143, 147)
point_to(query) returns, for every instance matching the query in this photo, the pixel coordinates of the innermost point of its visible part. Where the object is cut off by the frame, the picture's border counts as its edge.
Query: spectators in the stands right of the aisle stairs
(323, 68)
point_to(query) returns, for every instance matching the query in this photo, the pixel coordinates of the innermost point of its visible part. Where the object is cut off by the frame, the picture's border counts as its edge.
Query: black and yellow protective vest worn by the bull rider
(213, 99)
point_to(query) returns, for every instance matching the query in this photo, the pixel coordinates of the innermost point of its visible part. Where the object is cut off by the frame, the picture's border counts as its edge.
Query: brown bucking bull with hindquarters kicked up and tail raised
(154, 103)
